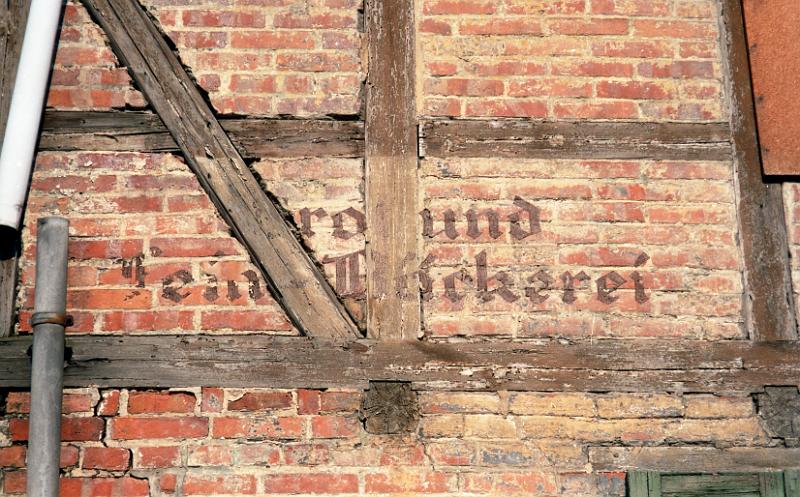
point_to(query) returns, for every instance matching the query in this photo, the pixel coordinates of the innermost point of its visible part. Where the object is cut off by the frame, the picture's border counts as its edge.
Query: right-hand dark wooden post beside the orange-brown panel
(768, 300)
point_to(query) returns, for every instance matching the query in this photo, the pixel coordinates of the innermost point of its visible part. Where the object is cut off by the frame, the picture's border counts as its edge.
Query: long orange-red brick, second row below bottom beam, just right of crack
(130, 428)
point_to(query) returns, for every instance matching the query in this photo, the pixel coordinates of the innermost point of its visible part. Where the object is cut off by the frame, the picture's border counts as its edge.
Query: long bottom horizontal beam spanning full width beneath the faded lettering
(288, 362)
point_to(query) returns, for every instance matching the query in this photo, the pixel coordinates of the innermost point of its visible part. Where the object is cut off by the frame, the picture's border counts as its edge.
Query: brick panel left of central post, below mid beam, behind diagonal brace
(149, 253)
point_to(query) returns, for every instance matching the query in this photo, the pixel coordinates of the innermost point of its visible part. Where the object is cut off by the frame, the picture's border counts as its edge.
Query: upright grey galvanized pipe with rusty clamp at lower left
(49, 319)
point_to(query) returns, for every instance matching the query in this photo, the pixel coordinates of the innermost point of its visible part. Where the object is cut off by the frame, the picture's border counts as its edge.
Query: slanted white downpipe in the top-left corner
(27, 104)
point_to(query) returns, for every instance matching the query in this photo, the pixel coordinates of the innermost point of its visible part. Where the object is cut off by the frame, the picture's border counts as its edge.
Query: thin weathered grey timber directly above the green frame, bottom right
(693, 459)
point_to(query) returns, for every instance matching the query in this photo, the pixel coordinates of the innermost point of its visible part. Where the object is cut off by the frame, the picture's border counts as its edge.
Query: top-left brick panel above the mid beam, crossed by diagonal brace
(252, 57)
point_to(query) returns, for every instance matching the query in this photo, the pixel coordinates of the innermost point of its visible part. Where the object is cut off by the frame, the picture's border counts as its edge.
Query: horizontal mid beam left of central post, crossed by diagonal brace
(131, 131)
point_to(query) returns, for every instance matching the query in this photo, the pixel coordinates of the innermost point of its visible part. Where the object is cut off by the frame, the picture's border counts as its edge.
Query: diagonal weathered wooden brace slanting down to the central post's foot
(295, 280)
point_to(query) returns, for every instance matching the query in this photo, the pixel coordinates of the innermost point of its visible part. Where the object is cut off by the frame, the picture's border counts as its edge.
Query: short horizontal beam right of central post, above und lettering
(576, 140)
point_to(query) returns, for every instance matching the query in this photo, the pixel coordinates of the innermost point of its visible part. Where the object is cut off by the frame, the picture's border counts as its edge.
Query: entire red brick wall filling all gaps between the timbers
(580, 249)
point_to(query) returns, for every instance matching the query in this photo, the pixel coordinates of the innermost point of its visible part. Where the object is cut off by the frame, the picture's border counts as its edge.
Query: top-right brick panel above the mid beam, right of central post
(652, 60)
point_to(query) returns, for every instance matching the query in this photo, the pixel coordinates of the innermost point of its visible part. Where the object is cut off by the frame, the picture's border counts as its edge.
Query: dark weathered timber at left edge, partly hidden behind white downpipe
(13, 16)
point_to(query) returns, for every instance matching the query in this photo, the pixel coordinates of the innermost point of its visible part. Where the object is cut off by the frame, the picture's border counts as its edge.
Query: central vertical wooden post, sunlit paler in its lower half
(393, 303)
